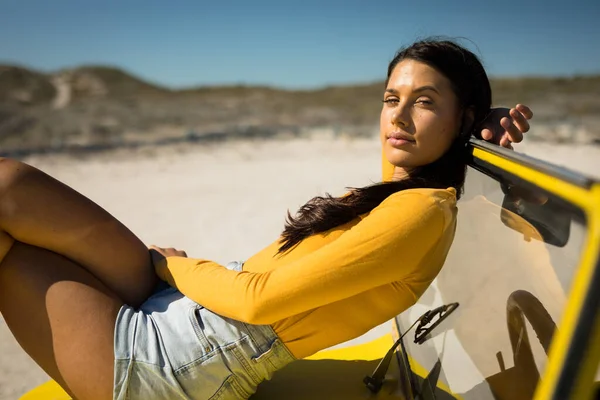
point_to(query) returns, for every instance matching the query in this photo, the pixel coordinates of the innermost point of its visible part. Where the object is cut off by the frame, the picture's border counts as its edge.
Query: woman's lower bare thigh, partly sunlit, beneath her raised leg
(63, 318)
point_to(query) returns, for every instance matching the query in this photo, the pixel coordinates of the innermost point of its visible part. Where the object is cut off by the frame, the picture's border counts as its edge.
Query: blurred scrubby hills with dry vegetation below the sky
(92, 107)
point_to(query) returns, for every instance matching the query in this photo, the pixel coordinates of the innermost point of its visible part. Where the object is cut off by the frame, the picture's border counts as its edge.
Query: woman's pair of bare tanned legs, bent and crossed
(65, 277)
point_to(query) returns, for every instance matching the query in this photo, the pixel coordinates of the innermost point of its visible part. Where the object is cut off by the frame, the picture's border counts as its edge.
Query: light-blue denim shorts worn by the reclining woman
(173, 348)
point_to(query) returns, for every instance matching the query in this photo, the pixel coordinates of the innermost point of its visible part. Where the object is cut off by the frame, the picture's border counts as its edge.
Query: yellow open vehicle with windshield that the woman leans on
(524, 273)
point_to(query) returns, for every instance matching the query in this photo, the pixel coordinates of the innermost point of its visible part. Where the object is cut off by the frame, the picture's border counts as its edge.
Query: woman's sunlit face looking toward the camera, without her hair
(421, 116)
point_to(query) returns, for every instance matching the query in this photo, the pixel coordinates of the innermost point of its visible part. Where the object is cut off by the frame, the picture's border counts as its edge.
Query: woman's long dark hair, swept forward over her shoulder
(472, 88)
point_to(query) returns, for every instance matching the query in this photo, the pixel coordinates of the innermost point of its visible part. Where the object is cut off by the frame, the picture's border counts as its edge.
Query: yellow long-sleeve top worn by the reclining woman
(336, 285)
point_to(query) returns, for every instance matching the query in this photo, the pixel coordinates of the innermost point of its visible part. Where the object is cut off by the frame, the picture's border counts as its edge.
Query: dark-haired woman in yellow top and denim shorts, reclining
(69, 270)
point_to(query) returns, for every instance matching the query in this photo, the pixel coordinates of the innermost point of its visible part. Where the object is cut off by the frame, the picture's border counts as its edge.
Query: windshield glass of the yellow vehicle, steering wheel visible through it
(510, 267)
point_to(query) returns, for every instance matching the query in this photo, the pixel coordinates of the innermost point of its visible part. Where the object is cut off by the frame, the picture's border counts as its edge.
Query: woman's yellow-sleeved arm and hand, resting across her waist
(386, 246)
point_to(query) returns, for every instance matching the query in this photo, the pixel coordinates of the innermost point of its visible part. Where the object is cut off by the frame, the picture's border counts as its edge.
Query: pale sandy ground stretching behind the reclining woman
(222, 202)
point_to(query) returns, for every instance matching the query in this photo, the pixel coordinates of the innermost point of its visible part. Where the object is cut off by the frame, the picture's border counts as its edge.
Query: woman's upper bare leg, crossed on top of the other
(38, 210)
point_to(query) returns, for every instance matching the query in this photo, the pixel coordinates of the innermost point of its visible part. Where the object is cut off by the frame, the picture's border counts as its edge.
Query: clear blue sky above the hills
(293, 44)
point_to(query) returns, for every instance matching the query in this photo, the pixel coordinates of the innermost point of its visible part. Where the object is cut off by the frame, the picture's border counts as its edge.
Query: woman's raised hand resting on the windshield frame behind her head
(506, 126)
